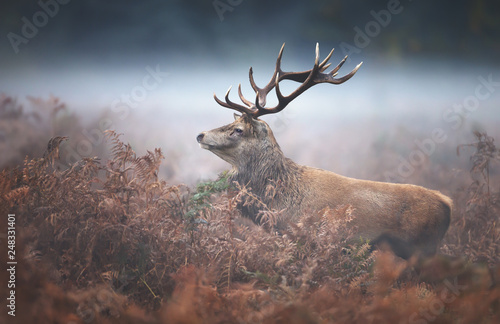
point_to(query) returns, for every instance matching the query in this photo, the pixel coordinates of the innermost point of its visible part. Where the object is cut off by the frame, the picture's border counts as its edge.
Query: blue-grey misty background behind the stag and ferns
(149, 70)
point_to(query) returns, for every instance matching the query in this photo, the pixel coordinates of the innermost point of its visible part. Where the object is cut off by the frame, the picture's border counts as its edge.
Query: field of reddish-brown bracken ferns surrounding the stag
(112, 239)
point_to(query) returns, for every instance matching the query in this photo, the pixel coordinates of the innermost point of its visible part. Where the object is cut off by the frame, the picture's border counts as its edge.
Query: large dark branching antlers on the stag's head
(308, 79)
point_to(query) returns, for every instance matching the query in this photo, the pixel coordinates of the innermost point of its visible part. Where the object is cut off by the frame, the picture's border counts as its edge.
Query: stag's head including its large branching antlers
(247, 137)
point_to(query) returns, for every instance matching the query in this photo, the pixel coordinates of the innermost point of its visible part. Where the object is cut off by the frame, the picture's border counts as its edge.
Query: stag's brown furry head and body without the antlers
(407, 217)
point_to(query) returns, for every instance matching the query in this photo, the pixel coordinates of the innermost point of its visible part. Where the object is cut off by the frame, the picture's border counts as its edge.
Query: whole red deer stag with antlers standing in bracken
(411, 219)
